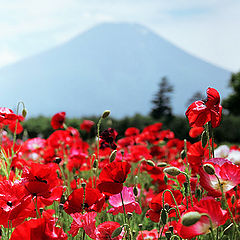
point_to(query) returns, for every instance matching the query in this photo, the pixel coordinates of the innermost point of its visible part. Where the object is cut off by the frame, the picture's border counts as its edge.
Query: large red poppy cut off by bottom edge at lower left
(39, 229)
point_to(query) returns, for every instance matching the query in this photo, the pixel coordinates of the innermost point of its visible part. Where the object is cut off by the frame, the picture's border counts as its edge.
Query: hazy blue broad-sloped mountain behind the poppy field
(114, 66)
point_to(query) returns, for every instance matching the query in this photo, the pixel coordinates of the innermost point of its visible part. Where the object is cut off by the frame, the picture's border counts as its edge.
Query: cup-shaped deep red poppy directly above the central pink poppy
(112, 177)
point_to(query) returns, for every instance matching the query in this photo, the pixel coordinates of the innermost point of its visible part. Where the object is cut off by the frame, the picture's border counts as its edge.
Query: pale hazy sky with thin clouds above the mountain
(206, 28)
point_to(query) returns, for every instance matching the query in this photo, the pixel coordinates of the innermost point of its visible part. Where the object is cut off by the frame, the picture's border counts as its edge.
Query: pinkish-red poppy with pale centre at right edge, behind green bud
(228, 173)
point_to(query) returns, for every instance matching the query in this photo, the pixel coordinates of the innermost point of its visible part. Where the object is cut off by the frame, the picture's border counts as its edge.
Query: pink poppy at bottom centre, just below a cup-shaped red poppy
(129, 201)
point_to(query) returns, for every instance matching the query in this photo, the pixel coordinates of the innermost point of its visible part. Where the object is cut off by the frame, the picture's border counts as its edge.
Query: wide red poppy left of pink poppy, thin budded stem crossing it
(93, 201)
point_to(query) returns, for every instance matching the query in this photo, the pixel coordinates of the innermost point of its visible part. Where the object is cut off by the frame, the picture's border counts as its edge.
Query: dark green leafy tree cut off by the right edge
(232, 102)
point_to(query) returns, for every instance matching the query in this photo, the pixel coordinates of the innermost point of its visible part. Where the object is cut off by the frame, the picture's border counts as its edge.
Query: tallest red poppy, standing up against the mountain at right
(200, 112)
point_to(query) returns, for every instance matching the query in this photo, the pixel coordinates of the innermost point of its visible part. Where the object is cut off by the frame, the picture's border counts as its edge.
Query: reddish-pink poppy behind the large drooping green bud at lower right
(213, 209)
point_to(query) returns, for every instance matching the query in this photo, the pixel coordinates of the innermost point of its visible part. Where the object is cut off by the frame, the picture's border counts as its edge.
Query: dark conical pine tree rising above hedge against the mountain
(162, 100)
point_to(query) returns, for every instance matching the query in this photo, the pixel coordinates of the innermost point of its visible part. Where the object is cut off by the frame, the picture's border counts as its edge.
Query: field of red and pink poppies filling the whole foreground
(147, 185)
